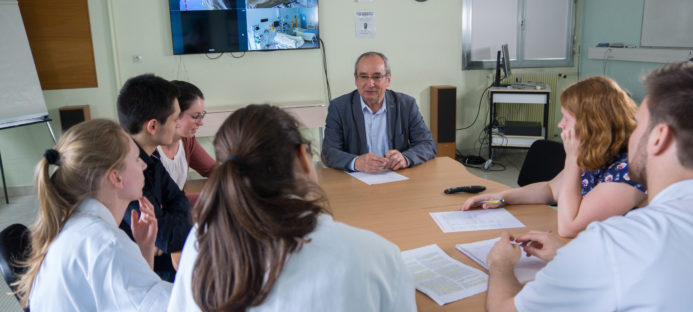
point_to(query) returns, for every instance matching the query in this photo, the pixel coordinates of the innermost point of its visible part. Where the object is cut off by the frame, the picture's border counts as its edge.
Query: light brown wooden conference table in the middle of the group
(399, 211)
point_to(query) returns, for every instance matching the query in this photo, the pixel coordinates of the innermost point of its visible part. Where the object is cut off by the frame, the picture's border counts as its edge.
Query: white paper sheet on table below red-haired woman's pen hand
(475, 220)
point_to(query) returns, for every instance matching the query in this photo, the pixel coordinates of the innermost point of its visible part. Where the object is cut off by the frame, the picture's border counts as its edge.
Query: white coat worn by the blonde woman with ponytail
(94, 266)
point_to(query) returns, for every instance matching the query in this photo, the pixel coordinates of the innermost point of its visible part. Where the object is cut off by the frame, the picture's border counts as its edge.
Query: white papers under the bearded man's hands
(525, 270)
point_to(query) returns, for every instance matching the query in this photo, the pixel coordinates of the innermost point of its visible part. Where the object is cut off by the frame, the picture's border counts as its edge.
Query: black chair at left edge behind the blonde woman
(14, 245)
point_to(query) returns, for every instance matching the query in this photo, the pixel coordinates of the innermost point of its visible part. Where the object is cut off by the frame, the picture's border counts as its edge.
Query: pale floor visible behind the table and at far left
(23, 209)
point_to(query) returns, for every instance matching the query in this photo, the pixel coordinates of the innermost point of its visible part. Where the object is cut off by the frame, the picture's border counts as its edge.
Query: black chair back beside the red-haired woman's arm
(544, 160)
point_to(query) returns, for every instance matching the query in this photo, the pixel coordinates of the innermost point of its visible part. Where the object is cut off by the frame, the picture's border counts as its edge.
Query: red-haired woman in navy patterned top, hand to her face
(598, 118)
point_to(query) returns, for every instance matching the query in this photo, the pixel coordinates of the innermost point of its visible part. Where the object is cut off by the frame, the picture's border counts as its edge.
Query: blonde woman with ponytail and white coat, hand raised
(80, 260)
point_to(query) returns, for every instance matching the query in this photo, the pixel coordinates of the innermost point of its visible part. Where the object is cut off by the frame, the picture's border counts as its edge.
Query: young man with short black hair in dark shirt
(148, 111)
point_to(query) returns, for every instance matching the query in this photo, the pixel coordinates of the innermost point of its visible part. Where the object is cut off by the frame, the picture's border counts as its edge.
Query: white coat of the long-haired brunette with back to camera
(342, 268)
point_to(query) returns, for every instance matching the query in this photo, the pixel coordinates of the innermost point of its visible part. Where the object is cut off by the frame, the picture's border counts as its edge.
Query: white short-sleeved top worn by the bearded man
(637, 262)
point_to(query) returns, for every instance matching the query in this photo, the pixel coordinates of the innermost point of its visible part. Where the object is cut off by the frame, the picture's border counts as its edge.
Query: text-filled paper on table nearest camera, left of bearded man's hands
(441, 277)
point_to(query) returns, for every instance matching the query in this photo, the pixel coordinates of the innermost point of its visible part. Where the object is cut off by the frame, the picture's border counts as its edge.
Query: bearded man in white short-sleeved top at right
(640, 261)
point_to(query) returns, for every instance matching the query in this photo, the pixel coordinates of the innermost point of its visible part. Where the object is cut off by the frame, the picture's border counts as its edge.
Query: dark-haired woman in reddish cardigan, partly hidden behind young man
(185, 152)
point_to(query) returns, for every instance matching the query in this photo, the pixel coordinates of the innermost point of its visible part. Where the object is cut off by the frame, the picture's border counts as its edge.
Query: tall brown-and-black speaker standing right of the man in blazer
(443, 113)
